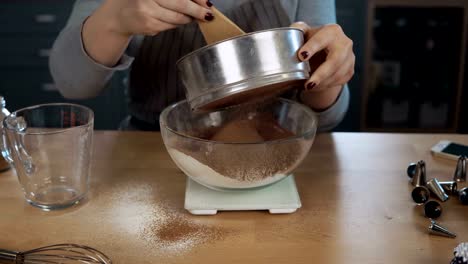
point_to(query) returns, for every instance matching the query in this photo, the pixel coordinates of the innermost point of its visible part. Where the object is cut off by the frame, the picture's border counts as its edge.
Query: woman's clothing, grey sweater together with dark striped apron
(78, 76)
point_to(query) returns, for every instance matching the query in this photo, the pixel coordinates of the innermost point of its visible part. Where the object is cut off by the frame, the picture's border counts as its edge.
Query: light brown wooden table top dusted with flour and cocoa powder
(356, 208)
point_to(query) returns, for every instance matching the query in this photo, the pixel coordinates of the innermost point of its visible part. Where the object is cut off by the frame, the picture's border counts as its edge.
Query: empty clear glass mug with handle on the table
(50, 147)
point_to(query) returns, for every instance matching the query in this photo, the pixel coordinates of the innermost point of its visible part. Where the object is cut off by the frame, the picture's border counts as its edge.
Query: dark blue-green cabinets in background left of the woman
(28, 29)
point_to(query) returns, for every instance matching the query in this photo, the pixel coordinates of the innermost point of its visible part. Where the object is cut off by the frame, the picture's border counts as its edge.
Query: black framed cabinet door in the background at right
(414, 66)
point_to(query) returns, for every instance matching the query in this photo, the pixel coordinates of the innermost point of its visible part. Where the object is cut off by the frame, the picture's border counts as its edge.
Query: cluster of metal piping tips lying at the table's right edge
(424, 189)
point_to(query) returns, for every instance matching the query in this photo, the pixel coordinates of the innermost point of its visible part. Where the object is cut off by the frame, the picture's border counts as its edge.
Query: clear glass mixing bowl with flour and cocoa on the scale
(225, 165)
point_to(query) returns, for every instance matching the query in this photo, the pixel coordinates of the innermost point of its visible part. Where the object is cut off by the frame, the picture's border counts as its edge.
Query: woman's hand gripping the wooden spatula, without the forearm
(149, 17)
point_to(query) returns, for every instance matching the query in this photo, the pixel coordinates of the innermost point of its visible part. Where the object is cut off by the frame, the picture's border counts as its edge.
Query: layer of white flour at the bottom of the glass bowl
(207, 175)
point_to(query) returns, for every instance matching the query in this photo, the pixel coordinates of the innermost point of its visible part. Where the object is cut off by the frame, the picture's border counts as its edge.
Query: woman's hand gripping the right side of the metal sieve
(331, 57)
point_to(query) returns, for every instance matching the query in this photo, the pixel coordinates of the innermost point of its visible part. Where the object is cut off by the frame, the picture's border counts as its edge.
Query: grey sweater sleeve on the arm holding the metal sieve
(316, 13)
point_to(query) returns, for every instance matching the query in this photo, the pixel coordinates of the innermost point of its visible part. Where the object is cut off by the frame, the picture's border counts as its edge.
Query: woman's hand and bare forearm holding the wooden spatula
(107, 32)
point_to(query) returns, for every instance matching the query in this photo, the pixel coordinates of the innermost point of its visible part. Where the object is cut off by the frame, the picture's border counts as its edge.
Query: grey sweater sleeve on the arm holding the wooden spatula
(77, 75)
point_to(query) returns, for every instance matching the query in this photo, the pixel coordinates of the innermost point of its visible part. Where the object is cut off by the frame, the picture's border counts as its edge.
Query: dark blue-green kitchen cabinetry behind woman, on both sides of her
(29, 27)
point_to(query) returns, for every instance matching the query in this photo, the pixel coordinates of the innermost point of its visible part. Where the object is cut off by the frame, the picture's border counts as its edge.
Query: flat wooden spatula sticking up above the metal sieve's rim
(220, 28)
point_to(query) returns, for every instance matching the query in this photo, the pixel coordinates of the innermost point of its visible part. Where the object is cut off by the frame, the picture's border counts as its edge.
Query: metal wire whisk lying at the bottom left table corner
(55, 254)
